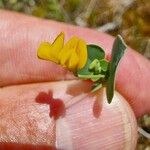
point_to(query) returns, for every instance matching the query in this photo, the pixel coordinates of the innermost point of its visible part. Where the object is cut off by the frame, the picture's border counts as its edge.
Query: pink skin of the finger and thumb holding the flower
(25, 122)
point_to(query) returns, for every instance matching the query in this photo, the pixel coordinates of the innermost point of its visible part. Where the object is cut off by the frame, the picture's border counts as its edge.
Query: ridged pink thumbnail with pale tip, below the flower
(115, 128)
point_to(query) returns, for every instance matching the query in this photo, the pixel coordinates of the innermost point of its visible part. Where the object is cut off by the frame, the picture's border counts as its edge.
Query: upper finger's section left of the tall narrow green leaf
(19, 43)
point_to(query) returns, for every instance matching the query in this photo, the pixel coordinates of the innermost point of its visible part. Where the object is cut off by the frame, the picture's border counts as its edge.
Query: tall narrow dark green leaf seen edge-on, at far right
(117, 52)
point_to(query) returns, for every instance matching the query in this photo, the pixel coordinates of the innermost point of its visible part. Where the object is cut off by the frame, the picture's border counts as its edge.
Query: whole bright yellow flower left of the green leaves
(72, 55)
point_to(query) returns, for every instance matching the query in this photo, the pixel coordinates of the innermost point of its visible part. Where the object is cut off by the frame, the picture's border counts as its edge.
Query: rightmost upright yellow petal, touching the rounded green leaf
(82, 53)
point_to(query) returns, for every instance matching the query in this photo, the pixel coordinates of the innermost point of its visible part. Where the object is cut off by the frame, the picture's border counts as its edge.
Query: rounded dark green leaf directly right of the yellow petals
(95, 52)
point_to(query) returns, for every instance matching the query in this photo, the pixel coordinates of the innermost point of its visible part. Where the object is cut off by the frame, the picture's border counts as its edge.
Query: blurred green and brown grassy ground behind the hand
(129, 18)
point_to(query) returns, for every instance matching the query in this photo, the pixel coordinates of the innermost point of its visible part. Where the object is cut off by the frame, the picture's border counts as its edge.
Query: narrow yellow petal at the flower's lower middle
(73, 61)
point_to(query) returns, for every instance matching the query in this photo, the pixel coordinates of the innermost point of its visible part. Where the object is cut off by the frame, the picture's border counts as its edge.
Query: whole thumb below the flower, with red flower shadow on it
(58, 115)
